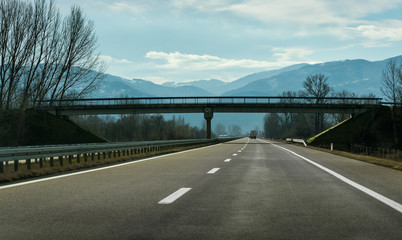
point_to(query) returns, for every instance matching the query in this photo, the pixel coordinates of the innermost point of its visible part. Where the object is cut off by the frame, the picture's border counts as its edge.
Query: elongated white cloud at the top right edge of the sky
(313, 12)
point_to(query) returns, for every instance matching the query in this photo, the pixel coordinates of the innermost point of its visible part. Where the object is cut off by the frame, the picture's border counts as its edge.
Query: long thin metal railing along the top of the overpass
(206, 100)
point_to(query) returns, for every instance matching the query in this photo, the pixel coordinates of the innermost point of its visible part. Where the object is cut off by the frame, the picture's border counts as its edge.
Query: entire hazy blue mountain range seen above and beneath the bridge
(359, 76)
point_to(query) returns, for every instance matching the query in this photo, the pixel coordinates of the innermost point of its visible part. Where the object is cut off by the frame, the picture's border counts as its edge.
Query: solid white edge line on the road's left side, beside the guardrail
(100, 169)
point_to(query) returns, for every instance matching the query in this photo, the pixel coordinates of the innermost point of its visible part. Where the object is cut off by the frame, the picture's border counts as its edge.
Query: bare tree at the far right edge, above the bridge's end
(391, 81)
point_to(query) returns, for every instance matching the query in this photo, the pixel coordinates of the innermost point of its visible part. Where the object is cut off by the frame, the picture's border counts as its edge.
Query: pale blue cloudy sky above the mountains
(183, 40)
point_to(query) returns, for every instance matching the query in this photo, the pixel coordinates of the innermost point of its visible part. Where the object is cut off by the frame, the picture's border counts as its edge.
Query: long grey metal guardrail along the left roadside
(31, 152)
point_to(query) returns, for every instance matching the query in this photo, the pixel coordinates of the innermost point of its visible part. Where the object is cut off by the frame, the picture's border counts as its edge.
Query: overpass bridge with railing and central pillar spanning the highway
(207, 105)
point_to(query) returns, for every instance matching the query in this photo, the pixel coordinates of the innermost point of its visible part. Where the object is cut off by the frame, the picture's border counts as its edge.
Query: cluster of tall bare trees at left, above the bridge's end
(45, 56)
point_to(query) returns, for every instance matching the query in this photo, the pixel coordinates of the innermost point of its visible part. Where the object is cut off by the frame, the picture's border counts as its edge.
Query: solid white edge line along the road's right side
(391, 203)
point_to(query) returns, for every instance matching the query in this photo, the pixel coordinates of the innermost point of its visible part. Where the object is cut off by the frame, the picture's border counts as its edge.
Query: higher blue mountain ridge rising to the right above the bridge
(359, 76)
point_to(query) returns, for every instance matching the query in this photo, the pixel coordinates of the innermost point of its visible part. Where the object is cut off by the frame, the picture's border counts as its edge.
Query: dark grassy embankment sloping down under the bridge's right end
(372, 129)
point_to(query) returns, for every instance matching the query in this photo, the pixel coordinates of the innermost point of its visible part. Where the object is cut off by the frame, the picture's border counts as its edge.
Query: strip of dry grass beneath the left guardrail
(10, 175)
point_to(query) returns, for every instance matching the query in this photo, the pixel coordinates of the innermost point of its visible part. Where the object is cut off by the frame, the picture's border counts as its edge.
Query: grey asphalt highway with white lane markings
(244, 189)
